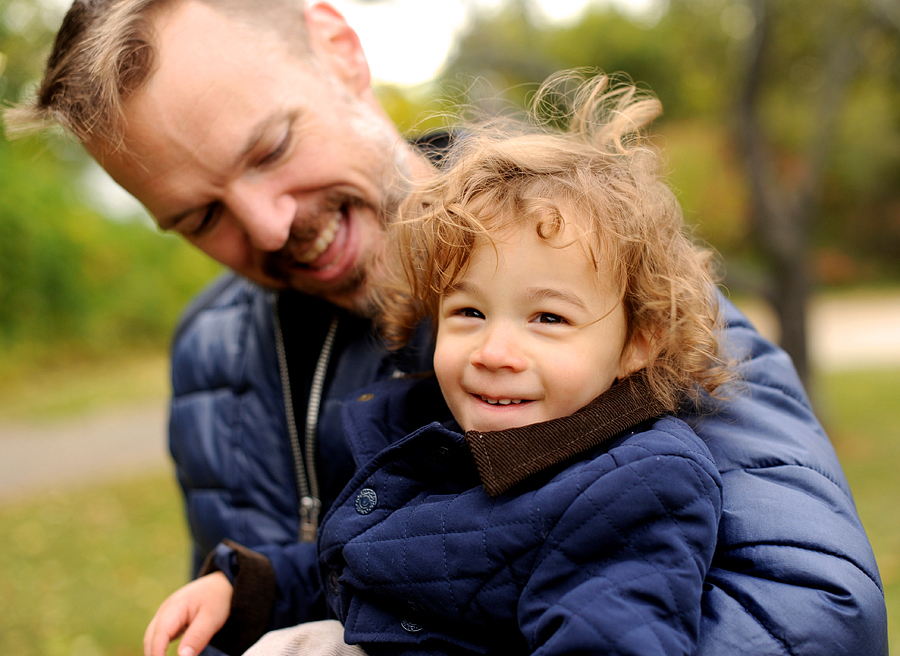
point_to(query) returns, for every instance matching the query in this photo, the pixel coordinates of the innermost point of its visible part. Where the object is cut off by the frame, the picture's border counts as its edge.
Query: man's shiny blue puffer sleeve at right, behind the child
(794, 572)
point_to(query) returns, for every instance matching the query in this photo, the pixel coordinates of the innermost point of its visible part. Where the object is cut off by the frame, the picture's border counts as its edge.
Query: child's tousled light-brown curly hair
(600, 175)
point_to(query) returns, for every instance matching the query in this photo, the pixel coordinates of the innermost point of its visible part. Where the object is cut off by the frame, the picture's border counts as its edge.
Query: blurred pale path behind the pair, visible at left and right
(855, 332)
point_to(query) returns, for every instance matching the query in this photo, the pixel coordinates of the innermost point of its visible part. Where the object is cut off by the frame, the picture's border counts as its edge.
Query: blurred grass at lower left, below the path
(85, 570)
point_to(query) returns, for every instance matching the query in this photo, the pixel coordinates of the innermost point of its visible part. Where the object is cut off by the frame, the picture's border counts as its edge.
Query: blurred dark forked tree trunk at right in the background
(786, 189)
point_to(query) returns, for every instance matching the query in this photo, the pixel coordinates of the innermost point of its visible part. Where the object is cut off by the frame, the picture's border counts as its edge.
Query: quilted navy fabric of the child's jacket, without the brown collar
(462, 557)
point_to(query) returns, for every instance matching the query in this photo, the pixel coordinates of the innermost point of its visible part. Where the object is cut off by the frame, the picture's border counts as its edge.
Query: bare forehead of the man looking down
(204, 107)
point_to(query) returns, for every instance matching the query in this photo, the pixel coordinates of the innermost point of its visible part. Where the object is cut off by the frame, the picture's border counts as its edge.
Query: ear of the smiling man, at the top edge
(337, 46)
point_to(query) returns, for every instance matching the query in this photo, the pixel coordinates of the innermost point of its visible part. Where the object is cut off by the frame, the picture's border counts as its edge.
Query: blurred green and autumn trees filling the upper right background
(782, 126)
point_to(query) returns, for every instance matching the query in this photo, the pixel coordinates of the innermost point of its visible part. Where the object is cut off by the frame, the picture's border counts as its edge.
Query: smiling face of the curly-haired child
(530, 333)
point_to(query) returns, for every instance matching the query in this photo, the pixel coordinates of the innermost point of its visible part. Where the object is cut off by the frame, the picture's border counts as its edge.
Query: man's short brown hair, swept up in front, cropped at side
(105, 51)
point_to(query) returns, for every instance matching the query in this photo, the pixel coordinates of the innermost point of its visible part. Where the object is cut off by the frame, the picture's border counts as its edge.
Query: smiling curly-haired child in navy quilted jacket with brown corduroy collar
(555, 506)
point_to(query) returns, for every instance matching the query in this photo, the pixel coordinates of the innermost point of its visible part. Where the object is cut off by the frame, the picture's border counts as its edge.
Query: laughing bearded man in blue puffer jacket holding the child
(251, 129)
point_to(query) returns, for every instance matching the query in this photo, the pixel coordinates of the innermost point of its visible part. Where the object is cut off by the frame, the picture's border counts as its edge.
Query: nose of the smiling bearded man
(266, 216)
